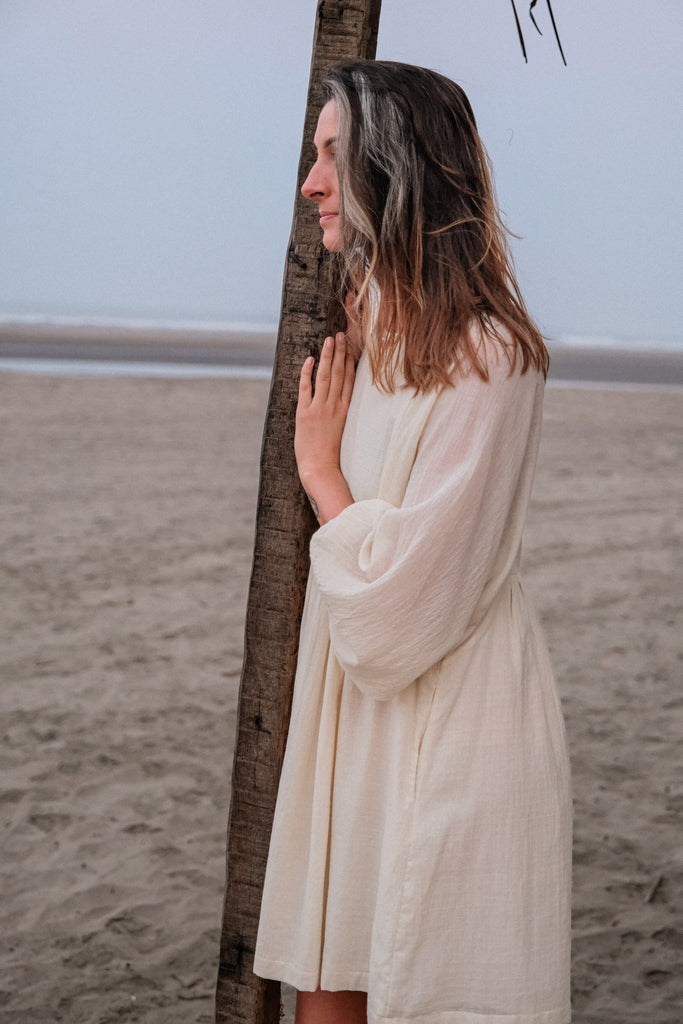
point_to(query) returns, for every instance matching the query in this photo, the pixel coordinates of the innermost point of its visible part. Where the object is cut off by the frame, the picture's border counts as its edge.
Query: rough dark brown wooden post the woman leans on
(284, 526)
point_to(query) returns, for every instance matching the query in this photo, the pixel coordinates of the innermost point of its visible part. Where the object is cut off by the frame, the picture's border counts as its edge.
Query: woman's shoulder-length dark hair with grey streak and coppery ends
(423, 248)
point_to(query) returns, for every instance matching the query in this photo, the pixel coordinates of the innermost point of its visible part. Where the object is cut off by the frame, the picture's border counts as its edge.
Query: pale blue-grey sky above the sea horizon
(150, 151)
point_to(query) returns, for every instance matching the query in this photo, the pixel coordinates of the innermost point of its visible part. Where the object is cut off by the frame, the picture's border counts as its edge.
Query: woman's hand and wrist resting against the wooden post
(320, 423)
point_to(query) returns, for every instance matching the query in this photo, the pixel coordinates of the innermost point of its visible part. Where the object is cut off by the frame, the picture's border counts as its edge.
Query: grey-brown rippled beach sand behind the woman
(126, 537)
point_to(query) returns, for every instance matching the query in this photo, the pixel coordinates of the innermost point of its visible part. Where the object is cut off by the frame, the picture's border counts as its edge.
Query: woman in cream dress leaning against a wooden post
(419, 866)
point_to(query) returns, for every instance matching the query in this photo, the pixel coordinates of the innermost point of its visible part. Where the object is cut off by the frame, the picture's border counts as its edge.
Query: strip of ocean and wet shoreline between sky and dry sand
(144, 348)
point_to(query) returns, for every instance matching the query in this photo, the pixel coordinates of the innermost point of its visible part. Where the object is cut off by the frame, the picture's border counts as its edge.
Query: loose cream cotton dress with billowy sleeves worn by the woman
(421, 845)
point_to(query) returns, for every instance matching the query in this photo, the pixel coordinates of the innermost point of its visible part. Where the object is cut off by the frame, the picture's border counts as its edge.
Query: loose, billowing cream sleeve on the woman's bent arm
(403, 587)
